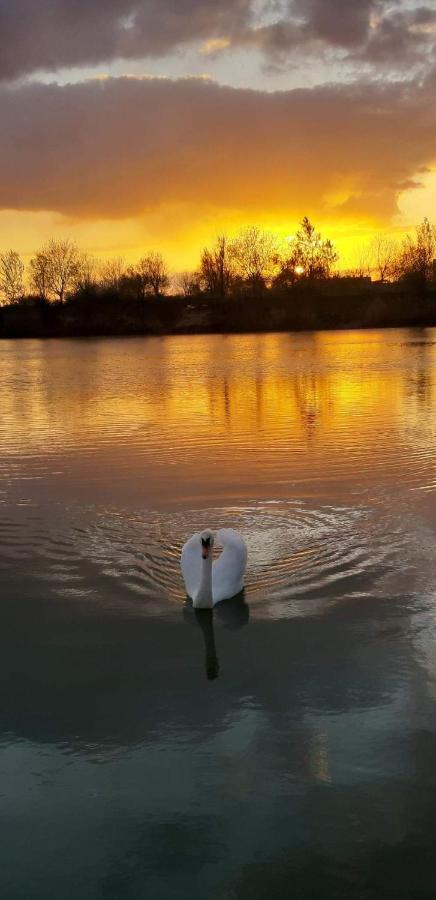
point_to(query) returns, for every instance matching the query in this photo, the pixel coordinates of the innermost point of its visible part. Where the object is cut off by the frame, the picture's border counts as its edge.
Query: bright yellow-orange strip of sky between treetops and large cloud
(180, 232)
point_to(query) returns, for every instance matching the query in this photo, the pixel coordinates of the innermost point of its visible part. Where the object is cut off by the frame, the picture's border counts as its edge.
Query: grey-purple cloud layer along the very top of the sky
(51, 34)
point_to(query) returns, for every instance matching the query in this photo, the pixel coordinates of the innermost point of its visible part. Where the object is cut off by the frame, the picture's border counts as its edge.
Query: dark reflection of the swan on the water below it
(233, 614)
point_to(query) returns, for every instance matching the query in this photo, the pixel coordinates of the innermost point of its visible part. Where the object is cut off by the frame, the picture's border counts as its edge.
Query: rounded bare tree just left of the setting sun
(255, 257)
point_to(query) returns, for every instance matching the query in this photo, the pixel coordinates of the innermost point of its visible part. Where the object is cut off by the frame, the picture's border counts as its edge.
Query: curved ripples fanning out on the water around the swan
(300, 558)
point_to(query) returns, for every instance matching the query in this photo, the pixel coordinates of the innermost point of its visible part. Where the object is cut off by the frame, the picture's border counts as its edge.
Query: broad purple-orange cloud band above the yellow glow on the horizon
(124, 146)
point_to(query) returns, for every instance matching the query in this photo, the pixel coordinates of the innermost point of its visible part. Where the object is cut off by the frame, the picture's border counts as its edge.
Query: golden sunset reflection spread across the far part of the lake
(276, 406)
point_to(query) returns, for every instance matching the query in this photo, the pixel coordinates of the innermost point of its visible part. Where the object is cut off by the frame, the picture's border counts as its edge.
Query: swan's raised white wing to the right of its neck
(229, 569)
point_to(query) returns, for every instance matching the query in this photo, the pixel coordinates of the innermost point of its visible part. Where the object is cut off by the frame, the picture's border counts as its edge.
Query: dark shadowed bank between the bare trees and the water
(332, 305)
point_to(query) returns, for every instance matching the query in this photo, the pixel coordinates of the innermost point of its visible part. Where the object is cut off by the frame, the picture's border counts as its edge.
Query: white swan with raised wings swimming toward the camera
(208, 583)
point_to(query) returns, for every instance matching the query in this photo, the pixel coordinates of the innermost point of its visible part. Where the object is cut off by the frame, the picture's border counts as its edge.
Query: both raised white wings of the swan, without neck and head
(227, 571)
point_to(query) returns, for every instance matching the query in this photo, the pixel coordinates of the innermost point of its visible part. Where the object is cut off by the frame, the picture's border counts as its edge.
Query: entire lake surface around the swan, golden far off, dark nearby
(306, 769)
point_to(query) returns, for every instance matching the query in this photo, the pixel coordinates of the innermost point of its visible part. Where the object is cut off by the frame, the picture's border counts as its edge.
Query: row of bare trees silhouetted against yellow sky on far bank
(252, 262)
